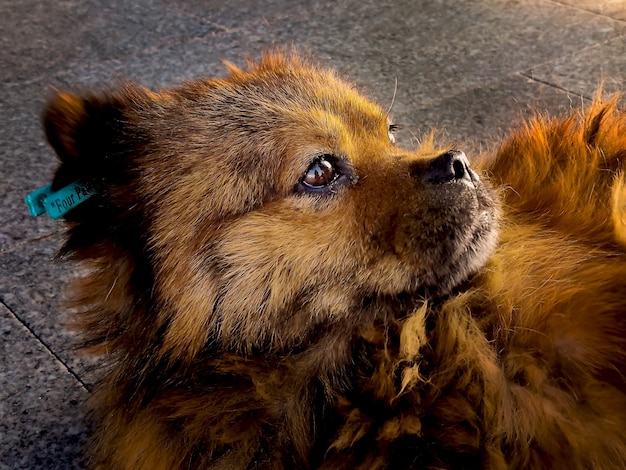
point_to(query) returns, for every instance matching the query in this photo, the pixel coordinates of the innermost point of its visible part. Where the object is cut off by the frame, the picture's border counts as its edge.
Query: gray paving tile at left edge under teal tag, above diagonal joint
(32, 287)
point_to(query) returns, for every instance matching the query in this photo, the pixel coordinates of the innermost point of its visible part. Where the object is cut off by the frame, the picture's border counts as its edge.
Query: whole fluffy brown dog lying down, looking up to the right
(276, 285)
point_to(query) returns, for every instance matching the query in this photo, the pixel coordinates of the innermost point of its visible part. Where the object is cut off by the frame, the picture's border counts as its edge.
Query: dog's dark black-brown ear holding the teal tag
(97, 137)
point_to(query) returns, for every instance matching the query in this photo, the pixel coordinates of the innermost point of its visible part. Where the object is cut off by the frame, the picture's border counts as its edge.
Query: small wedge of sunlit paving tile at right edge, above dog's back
(582, 71)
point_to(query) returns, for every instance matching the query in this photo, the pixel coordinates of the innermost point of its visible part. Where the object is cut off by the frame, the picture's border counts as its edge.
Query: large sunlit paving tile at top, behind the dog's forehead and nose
(437, 48)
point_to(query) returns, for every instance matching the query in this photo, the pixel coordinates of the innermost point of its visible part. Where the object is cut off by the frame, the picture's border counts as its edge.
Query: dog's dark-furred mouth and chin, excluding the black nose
(447, 237)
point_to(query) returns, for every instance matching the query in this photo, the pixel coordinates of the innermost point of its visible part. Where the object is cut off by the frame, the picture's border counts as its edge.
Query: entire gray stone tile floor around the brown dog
(469, 68)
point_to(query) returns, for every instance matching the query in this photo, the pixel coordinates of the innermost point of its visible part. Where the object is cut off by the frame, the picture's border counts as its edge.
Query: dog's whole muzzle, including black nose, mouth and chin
(442, 229)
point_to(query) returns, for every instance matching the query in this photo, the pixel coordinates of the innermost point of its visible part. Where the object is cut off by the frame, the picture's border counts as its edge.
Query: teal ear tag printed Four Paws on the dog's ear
(60, 202)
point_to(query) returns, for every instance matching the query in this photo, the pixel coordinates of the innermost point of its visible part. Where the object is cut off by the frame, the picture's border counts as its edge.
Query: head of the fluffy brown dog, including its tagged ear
(248, 210)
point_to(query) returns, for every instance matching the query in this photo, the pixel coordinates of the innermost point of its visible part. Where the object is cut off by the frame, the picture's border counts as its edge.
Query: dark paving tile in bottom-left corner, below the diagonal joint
(42, 425)
